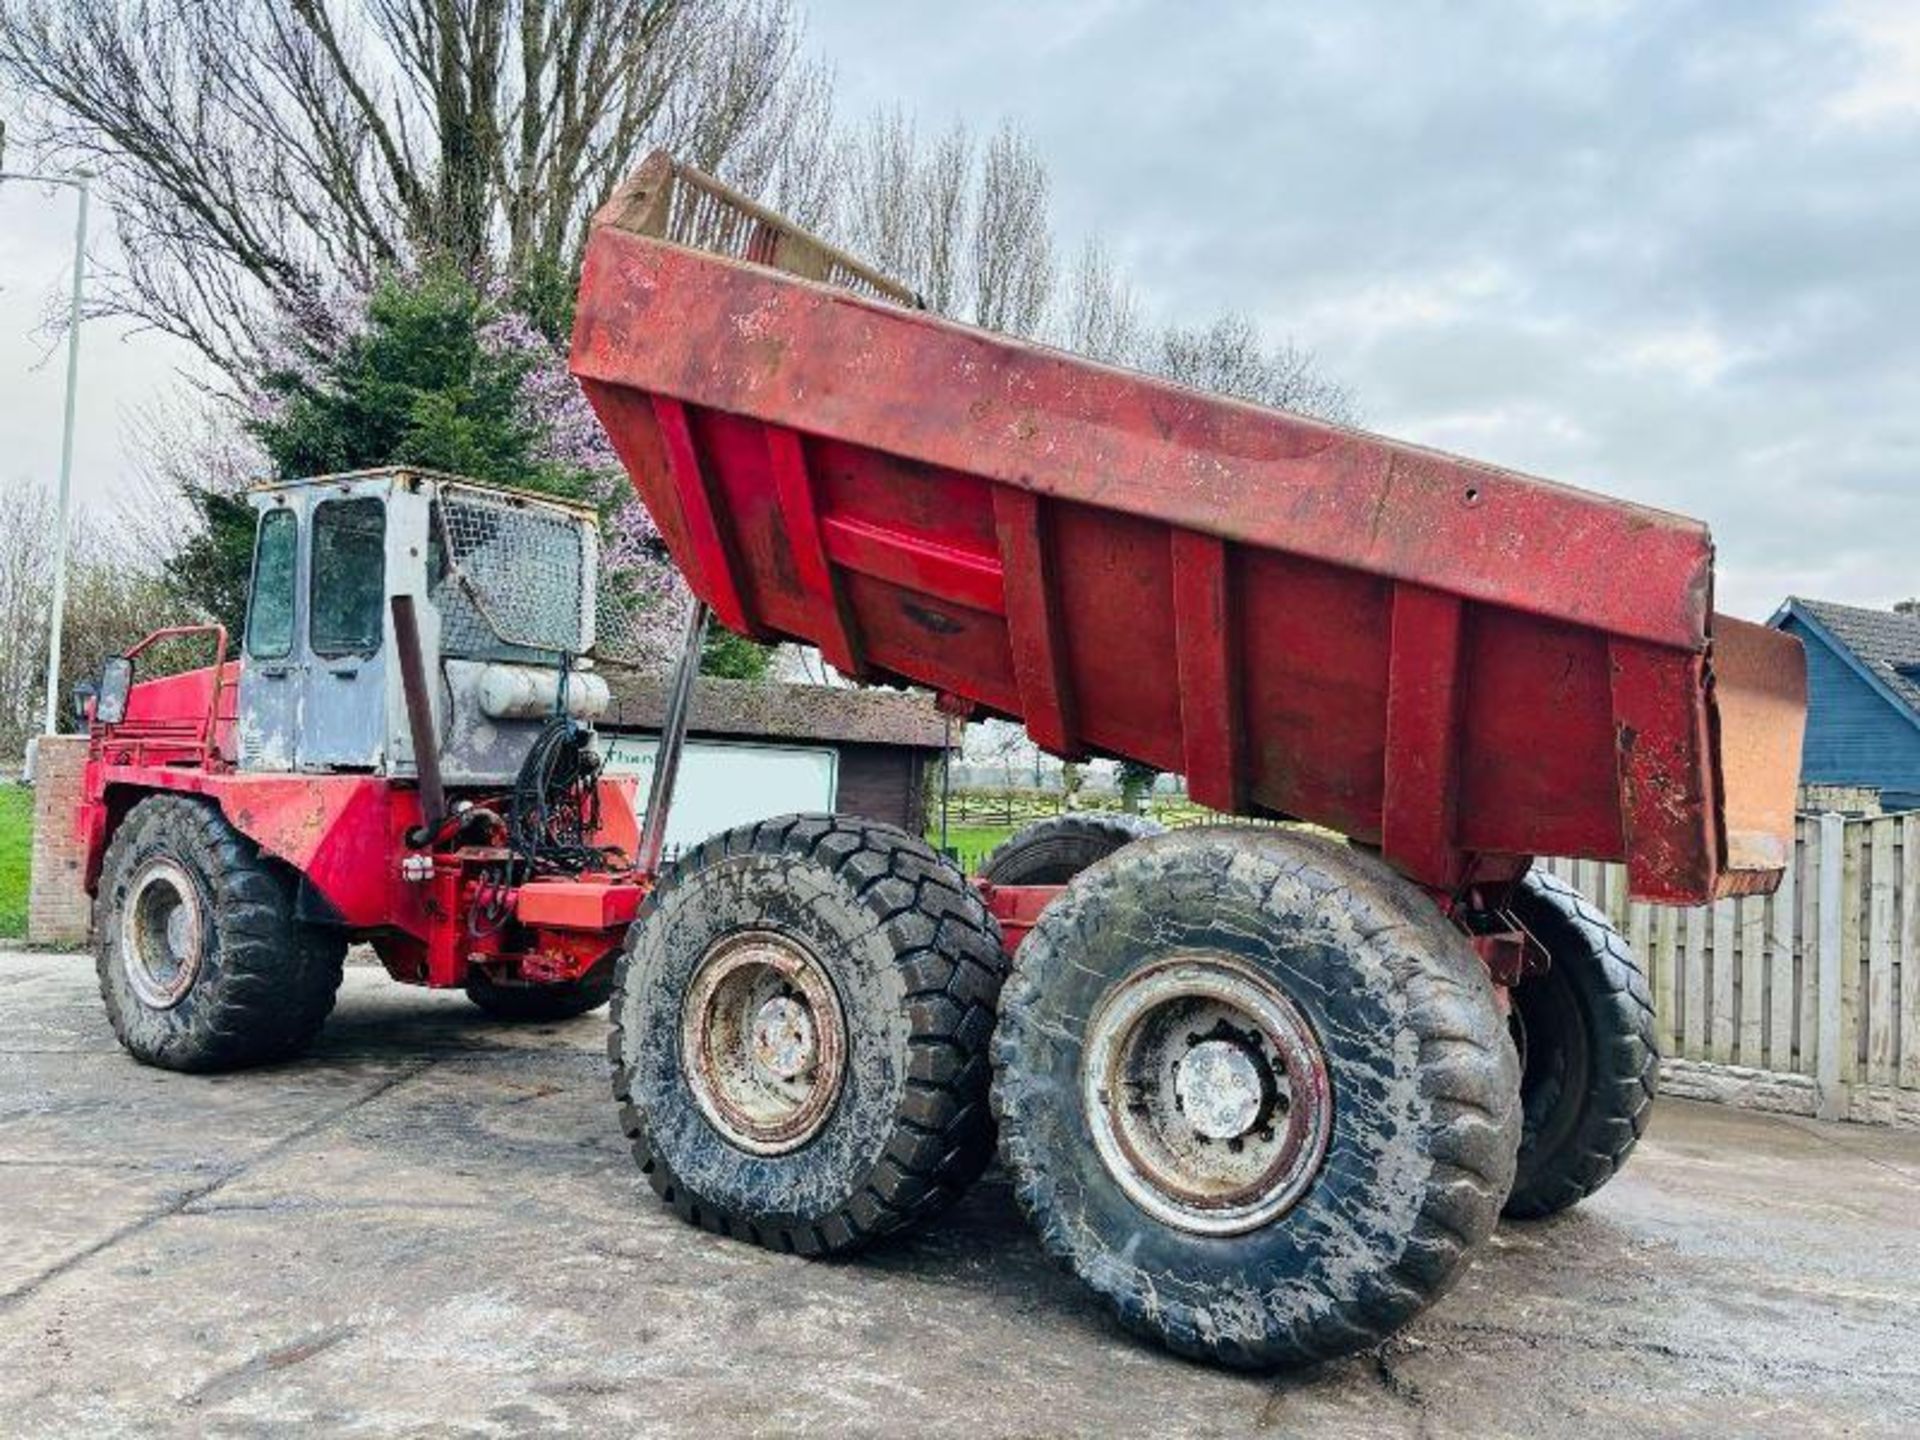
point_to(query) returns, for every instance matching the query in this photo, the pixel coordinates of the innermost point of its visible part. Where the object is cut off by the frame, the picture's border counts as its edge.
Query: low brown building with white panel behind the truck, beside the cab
(754, 750)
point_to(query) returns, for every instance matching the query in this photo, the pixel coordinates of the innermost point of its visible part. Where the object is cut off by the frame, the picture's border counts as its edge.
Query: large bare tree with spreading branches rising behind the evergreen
(260, 153)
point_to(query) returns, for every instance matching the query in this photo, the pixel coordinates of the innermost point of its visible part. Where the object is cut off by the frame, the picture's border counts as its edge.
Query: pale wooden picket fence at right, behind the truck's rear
(1808, 999)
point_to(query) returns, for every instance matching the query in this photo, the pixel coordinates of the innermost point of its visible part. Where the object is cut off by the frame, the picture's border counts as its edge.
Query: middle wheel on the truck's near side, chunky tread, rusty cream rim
(800, 1034)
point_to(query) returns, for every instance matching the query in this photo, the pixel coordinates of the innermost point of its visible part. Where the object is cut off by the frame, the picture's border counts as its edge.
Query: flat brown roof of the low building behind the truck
(765, 711)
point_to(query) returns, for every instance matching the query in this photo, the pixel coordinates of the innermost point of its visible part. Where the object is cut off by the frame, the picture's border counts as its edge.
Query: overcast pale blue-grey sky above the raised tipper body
(1662, 251)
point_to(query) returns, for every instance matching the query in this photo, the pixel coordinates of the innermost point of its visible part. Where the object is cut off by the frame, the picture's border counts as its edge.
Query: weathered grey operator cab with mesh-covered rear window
(504, 587)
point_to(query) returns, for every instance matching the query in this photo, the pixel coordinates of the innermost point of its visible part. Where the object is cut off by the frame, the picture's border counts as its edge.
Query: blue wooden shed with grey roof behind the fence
(1863, 700)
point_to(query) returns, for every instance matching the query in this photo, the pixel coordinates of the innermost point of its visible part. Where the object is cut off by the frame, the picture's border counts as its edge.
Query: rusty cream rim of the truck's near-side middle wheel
(763, 1044)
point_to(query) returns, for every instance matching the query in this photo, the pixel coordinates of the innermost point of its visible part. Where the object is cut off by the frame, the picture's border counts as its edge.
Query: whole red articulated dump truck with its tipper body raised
(1264, 1086)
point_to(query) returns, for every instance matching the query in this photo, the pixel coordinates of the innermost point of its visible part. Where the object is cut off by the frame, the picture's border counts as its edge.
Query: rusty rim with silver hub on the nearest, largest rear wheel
(1209, 1095)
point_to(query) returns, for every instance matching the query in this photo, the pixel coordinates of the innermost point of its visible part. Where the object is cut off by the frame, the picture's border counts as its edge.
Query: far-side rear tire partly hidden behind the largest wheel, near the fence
(1593, 1051)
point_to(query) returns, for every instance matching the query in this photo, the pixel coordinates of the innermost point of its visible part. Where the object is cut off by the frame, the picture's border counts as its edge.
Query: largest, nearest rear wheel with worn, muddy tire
(1345, 1095)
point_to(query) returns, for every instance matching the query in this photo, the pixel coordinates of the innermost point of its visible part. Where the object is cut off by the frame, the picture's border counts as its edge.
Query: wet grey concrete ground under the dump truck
(433, 1228)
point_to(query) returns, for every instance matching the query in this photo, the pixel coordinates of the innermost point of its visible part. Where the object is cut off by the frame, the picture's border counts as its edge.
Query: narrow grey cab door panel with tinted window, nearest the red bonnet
(272, 663)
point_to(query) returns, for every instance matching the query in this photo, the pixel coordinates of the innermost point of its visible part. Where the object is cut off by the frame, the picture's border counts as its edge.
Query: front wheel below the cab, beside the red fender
(203, 965)
